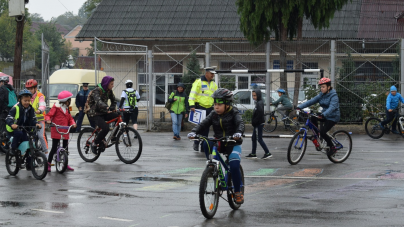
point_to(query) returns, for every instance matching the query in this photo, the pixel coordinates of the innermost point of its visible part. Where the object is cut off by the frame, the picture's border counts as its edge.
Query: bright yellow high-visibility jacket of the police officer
(201, 93)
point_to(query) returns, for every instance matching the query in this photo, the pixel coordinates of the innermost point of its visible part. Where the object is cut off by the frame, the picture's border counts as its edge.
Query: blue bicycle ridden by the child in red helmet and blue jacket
(298, 143)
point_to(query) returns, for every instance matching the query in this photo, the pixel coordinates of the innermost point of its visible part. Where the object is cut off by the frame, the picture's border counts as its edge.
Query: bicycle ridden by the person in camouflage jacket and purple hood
(127, 139)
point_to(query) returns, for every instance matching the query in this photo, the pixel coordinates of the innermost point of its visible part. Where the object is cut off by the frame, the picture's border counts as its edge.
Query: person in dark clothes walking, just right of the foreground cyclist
(258, 122)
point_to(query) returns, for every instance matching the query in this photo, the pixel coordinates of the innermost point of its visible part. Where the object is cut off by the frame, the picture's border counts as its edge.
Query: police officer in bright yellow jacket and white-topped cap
(200, 96)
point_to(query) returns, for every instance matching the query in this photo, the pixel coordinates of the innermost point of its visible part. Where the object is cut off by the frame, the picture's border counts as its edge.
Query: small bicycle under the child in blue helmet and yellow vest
(27, 151)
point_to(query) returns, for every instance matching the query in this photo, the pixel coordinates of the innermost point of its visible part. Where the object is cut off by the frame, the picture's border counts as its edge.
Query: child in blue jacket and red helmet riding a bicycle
(328, 100)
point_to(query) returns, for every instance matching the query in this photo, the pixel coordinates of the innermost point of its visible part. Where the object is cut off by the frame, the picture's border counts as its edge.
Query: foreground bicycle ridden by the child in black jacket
(213, 182)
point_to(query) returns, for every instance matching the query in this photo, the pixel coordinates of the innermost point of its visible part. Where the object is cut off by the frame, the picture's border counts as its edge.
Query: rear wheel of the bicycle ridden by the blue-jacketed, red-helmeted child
(344, 146)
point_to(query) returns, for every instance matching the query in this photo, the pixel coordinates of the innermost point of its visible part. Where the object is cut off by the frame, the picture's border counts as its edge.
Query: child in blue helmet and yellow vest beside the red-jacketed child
(22, 114)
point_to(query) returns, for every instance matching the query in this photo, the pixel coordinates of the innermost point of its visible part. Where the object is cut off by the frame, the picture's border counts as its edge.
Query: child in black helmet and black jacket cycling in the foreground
(226, 121)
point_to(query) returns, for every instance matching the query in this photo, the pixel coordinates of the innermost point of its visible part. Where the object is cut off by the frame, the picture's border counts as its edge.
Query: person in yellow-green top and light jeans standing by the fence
(179, 107)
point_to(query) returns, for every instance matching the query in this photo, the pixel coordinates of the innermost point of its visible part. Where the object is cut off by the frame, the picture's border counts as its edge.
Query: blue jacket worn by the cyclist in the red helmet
(329, 102)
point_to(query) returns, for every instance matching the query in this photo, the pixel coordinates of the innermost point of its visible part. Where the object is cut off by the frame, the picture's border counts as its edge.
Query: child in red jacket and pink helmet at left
(60, 115)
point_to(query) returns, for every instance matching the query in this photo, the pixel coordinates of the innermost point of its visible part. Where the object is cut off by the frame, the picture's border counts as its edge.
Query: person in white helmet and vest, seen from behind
(129, 99)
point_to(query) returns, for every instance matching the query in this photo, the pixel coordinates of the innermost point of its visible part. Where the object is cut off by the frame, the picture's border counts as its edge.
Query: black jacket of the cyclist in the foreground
(223, 125)
